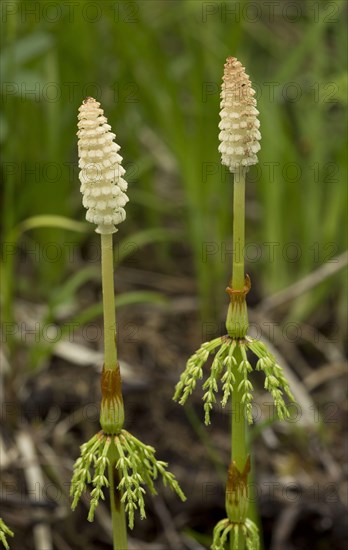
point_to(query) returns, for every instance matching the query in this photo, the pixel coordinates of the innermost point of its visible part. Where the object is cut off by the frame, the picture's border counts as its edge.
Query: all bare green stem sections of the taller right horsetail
(238, 423)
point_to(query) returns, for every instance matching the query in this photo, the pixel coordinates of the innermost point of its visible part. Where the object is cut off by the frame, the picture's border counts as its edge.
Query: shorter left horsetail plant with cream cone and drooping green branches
(113, 457)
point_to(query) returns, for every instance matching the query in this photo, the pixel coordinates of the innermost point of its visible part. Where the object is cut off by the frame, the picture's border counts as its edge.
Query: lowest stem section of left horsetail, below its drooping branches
(118, 517)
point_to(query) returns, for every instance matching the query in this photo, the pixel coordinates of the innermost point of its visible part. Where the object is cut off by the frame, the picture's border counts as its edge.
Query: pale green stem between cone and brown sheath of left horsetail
(110, 351)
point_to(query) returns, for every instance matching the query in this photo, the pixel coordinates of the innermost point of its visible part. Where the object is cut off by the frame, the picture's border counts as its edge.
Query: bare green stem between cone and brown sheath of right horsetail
(238, 274)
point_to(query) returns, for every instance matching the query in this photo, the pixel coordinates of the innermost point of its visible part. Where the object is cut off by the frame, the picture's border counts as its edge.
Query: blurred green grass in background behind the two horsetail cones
(157, 67)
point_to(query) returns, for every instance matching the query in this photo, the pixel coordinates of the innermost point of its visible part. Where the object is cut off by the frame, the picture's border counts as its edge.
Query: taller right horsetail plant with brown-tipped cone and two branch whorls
(239, 143)
